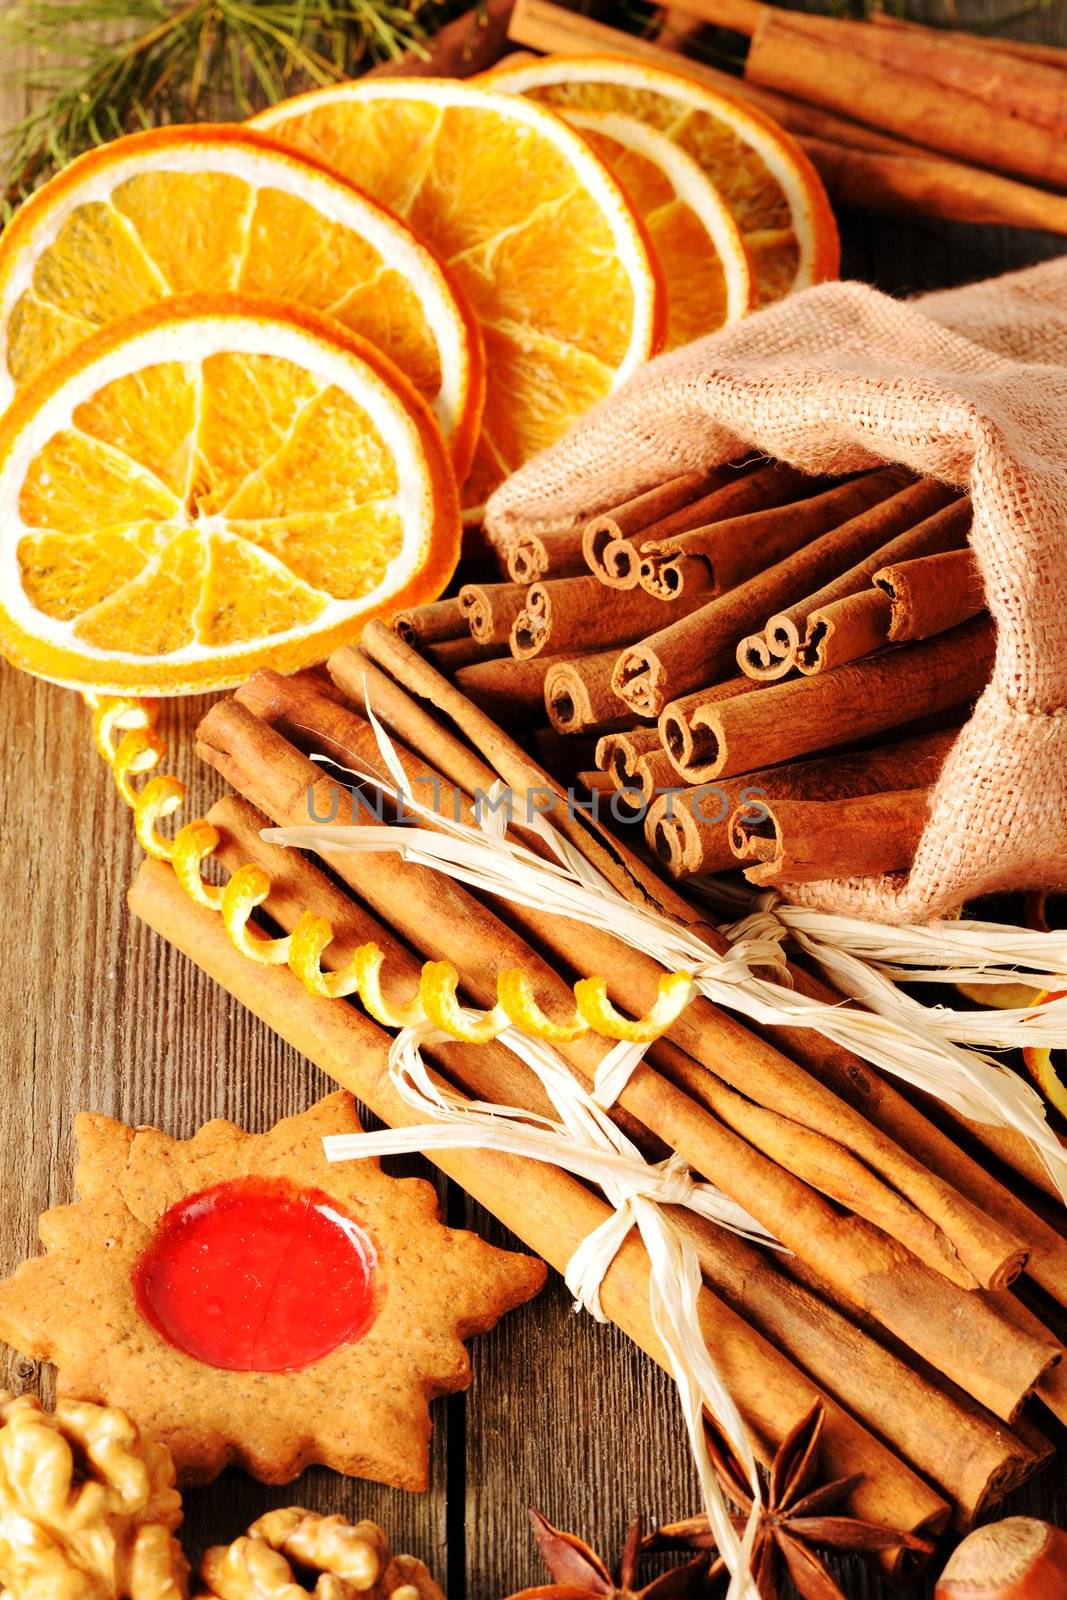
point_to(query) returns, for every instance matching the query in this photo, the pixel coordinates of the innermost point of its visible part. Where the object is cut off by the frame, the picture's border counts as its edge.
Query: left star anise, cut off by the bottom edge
(578, 1574)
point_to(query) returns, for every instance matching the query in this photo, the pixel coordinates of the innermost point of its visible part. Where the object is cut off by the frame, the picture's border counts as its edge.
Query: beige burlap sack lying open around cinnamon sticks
(969, 386)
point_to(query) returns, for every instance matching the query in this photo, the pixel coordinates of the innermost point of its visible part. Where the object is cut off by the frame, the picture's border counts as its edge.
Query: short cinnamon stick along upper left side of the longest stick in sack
(575, 617)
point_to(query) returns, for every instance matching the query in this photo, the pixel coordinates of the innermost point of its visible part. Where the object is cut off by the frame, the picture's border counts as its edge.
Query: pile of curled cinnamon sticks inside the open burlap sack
(770, 668)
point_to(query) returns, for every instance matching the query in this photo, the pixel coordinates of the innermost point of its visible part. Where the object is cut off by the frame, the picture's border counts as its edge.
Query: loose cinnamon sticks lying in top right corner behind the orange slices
(895, 116)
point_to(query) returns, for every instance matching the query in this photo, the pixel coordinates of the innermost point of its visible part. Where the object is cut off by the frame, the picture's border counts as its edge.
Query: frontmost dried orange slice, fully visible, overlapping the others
(212, 486)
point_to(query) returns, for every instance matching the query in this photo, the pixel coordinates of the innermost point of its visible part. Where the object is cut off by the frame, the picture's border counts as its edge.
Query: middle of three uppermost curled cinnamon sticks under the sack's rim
(729, 492)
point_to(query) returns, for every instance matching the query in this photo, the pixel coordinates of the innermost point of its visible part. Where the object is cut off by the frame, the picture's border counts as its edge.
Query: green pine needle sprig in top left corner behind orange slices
(103, 68)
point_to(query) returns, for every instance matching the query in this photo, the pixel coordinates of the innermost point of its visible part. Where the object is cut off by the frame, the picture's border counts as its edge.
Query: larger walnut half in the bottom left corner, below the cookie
(87, 1506)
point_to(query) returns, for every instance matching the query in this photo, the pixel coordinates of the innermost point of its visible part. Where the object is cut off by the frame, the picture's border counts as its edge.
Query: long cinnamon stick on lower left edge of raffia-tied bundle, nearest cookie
(548, 1210)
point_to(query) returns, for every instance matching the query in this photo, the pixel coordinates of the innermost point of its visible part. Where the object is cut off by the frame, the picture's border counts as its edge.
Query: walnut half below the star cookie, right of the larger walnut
(342, 1561)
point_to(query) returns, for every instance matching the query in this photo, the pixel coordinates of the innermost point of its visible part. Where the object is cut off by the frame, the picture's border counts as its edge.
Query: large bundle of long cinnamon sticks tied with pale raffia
(897, 1295)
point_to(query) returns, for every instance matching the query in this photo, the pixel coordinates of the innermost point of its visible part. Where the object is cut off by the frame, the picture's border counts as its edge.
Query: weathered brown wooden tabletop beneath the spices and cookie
(97, 1014)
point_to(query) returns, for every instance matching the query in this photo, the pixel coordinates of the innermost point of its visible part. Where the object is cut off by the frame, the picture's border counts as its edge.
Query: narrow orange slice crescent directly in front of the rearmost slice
(698, 246)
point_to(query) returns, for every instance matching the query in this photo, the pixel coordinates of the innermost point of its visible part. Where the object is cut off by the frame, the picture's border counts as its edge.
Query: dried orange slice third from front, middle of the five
(530, 223)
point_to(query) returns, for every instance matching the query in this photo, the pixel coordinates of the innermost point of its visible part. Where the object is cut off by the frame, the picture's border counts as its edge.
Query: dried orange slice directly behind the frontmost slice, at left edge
(217, 210)
